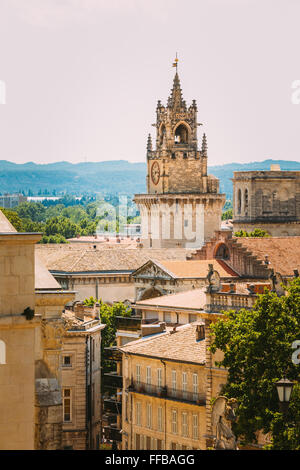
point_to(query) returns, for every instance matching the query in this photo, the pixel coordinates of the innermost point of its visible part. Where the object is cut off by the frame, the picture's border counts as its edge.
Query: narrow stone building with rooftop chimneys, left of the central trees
(81, 380)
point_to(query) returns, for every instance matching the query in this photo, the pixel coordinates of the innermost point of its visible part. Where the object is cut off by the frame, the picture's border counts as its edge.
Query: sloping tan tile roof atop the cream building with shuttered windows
(180, 346)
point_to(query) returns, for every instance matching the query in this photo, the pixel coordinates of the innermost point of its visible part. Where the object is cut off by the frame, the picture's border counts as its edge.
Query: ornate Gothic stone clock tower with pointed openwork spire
(183, 205)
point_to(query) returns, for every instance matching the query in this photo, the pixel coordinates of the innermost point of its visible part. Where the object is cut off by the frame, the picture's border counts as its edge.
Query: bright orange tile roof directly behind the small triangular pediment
(196, 268)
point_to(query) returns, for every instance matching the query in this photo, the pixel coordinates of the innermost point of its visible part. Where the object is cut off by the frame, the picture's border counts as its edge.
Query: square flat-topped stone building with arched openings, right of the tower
(269, 200)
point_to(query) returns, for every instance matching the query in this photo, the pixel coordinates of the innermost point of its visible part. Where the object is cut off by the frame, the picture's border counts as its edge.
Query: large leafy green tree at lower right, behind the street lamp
(257, 352)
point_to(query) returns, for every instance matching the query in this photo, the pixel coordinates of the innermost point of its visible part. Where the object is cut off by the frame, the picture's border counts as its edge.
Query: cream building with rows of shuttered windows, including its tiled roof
(164, 391)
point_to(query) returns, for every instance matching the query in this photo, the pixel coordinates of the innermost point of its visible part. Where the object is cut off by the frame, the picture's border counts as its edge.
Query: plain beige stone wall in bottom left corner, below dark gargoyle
(17, 392)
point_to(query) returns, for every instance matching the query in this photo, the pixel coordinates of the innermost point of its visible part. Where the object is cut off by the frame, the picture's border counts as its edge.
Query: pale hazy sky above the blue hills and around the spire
(83, 76)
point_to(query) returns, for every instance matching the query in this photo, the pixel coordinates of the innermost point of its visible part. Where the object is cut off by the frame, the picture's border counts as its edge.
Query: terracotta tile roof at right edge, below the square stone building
(283, 252)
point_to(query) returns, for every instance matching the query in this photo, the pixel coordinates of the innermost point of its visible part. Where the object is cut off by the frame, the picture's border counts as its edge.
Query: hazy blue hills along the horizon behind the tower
(118, 176)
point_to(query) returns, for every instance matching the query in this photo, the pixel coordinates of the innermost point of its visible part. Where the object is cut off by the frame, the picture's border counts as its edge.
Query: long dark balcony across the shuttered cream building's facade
(168, 393)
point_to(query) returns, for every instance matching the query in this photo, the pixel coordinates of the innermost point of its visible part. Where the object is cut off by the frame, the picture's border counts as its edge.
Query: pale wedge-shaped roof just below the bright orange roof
(192, 299)
